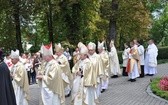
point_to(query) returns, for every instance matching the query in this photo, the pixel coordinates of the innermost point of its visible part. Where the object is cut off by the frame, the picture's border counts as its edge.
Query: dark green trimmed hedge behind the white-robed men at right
(162, 54)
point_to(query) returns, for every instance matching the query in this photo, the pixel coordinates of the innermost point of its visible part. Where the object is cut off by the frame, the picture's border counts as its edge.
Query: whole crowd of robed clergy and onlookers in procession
(85, 82)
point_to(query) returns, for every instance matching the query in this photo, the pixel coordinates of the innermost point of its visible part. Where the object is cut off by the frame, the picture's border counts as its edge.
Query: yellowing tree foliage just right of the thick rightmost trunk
(133, 21)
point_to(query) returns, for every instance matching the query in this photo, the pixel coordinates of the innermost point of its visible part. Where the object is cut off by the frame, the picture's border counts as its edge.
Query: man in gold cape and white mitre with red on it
(52, 90)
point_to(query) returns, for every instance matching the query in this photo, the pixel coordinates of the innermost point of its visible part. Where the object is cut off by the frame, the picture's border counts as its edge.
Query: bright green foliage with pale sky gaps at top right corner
(159, 30)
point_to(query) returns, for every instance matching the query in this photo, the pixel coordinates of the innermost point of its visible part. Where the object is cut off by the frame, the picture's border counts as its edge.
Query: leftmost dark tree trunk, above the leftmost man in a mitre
(16, 15)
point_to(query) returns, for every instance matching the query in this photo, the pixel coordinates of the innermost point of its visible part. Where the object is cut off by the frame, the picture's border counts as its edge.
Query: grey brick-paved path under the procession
(120, 91)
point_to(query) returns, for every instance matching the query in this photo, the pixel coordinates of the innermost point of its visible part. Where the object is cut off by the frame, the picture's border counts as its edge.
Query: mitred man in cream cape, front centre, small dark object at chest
(83, 91)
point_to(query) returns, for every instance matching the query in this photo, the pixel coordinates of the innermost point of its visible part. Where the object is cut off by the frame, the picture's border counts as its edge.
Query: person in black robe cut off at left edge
(7, 95)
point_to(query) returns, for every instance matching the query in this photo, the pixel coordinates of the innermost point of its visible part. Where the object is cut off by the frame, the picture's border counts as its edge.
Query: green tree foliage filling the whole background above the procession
(81, 20)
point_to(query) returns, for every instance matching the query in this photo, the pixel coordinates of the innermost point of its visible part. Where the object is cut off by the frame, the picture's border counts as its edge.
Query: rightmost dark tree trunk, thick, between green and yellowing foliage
(112, 24)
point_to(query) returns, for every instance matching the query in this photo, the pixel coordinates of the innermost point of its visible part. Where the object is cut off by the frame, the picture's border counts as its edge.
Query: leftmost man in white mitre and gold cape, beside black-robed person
(20, 79)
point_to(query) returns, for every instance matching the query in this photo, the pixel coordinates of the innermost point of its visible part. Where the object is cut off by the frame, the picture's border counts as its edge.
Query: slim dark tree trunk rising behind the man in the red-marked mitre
(49, 19)
